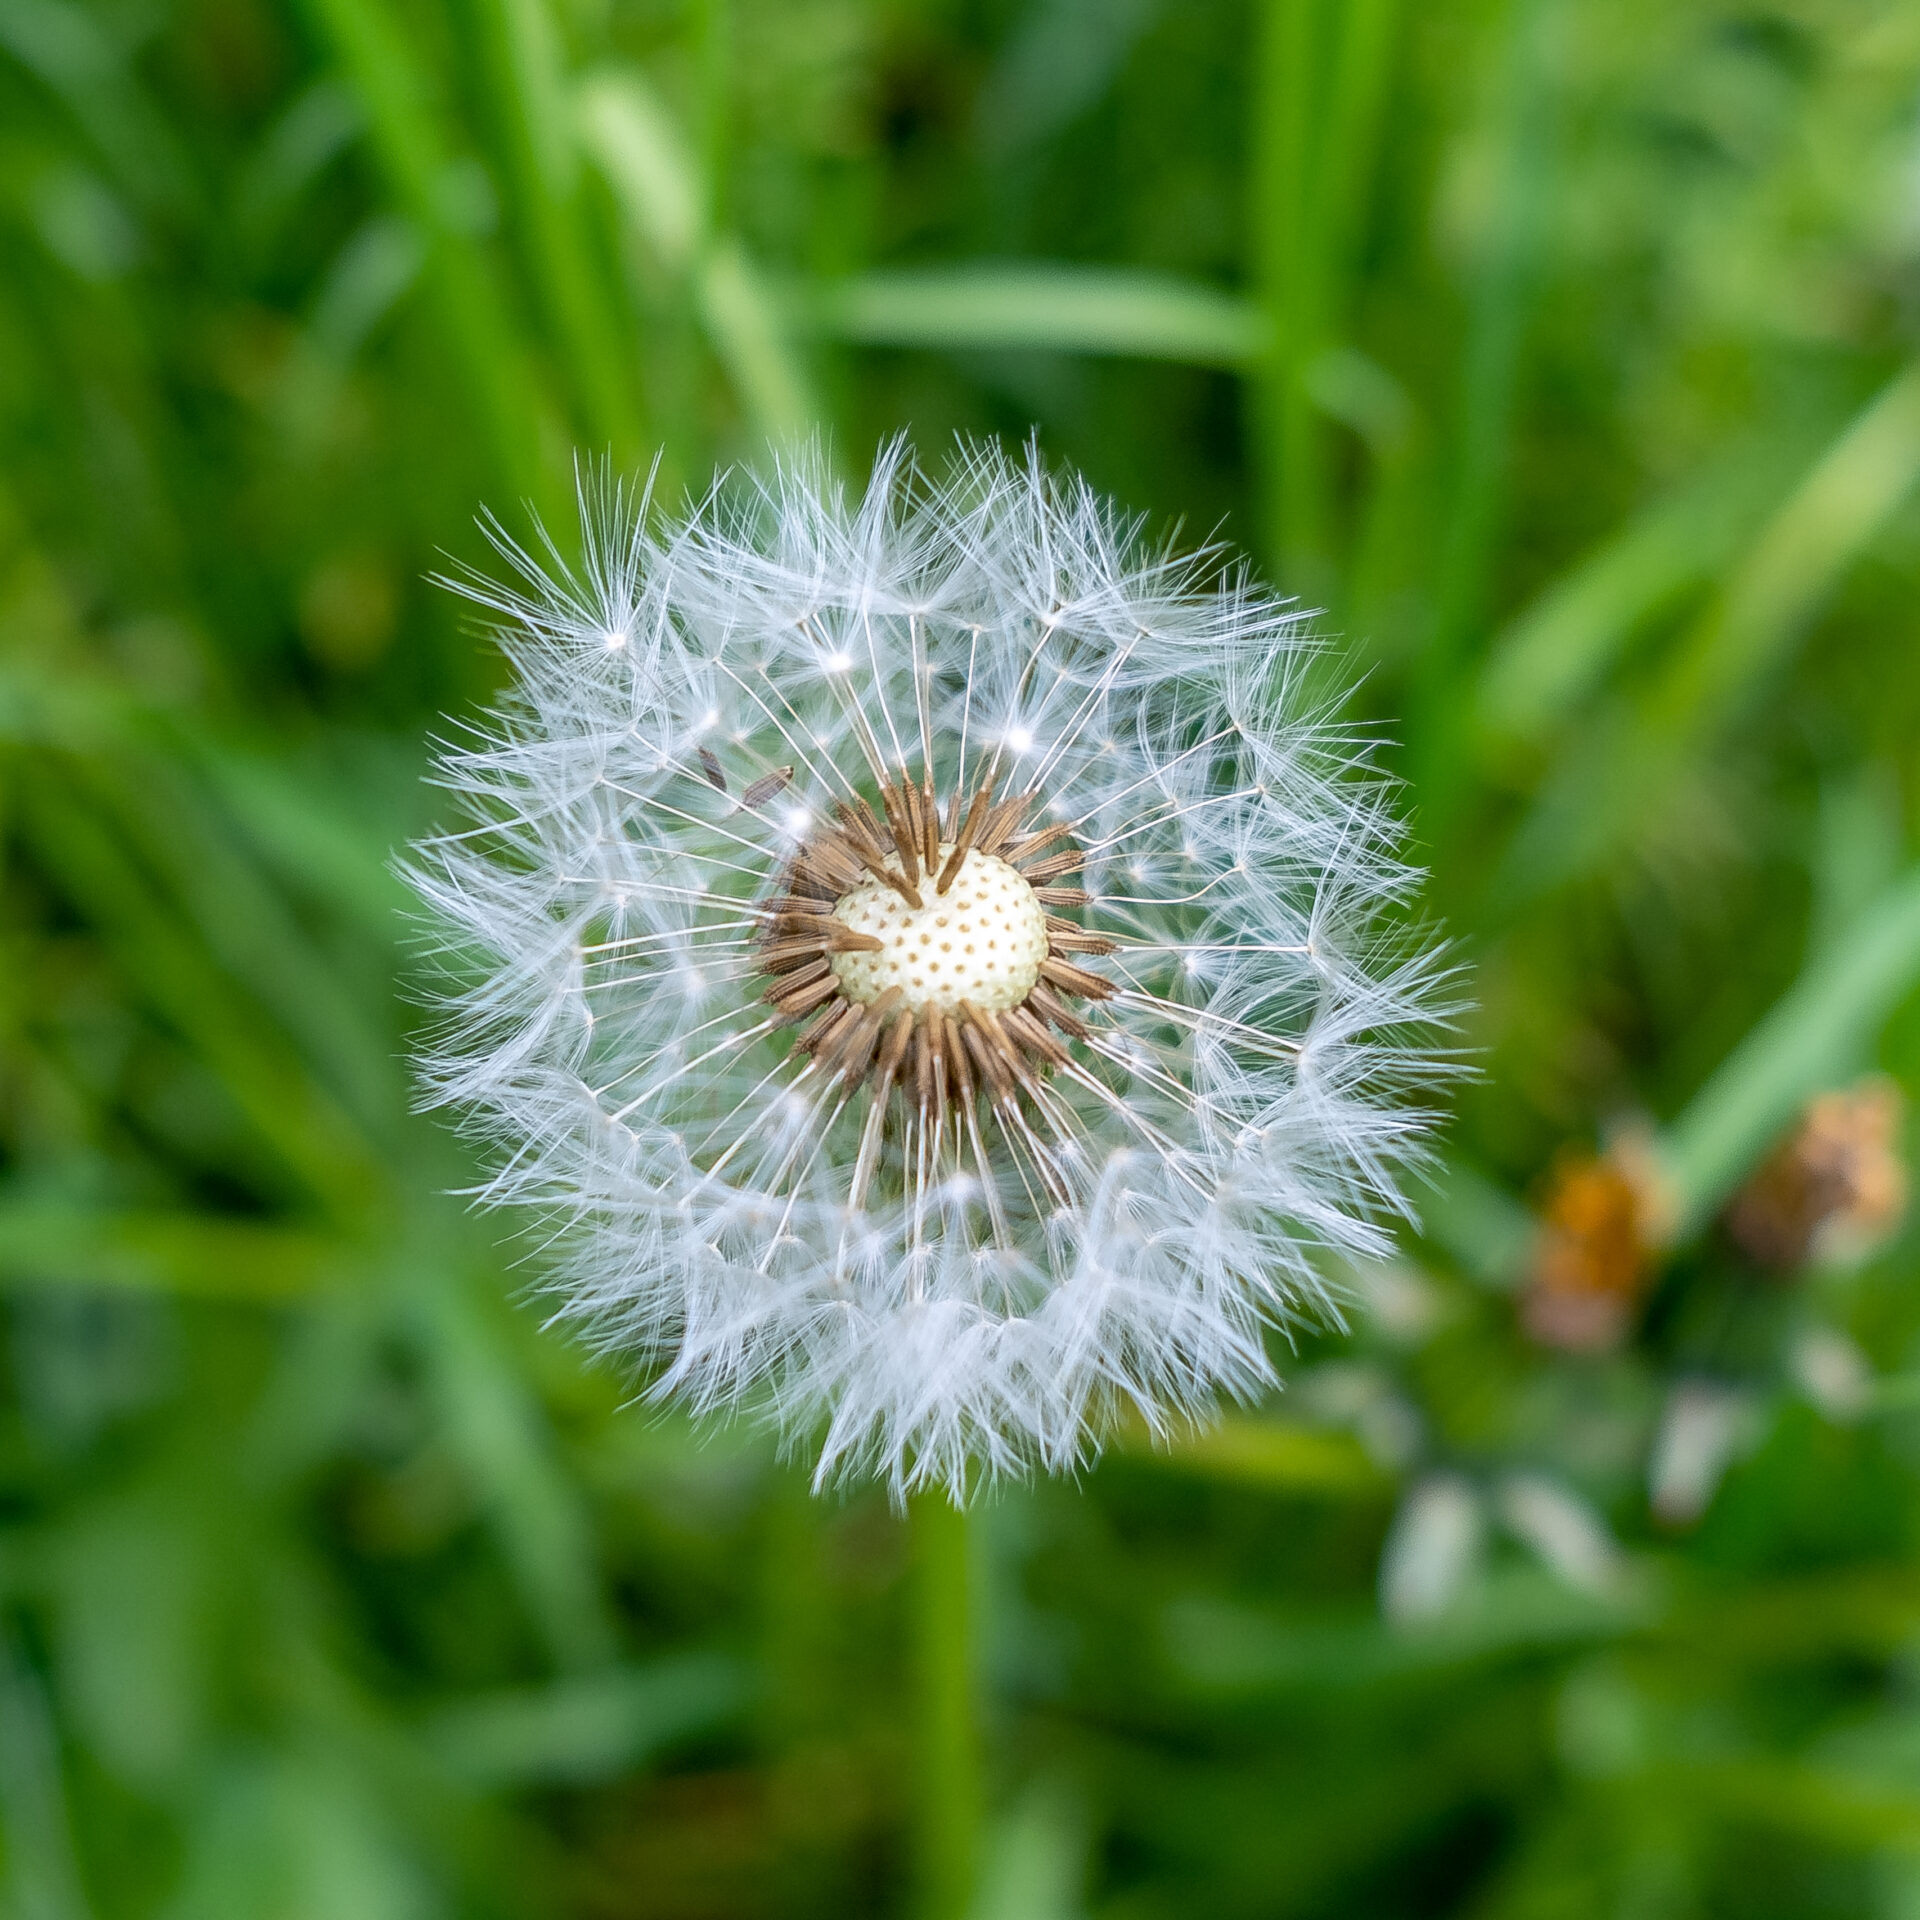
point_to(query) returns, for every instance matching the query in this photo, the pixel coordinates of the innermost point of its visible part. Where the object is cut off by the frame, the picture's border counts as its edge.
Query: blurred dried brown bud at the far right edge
(1833, 1189)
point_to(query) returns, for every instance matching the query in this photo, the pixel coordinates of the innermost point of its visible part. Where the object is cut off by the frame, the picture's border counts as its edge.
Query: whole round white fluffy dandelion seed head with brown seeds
(921, 965)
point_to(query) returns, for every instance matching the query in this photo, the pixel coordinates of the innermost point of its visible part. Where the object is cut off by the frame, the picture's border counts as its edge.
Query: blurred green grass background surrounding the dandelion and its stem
(1566, 354)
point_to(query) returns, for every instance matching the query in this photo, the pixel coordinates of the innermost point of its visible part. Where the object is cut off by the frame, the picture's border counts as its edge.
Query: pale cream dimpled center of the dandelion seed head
(980, 942)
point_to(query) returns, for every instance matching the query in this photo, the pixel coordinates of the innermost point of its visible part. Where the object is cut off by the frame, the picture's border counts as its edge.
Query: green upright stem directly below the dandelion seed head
(948, 1790)
